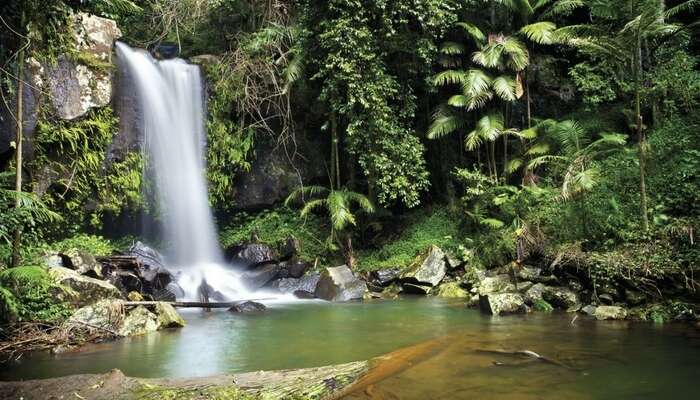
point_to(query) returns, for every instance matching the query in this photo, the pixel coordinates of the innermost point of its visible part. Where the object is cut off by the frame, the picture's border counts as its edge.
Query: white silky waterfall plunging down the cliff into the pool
(171, 103)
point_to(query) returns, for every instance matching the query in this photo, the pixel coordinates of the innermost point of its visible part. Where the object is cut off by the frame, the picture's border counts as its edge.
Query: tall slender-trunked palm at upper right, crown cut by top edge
(643, 28)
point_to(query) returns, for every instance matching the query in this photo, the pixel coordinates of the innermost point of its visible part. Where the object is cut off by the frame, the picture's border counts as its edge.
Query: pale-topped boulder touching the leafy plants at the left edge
(85, 290)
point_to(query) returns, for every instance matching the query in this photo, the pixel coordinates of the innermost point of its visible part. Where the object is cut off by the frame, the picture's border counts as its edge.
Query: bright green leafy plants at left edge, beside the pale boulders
(28, 294)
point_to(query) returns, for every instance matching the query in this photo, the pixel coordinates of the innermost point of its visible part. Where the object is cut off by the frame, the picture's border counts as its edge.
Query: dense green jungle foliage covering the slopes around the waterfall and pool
(561, 132)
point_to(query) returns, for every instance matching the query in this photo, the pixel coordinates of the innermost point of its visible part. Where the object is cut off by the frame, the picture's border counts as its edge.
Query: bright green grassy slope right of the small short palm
(410, 235)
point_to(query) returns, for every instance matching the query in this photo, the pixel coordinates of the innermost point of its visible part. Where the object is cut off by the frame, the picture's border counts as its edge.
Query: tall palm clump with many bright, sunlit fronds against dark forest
(498, 65)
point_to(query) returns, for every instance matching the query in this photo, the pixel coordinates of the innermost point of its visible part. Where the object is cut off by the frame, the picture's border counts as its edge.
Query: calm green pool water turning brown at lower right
(592, 360)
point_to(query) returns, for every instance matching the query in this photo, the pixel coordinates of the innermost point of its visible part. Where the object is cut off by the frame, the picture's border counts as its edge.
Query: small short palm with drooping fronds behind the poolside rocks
(338, 204)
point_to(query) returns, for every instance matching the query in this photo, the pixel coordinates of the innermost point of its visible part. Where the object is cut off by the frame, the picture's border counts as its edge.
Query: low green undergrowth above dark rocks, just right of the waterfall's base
(272, 227)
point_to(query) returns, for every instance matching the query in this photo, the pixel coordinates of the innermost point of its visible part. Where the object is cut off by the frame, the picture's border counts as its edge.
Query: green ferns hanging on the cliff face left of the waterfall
(74, 178)
